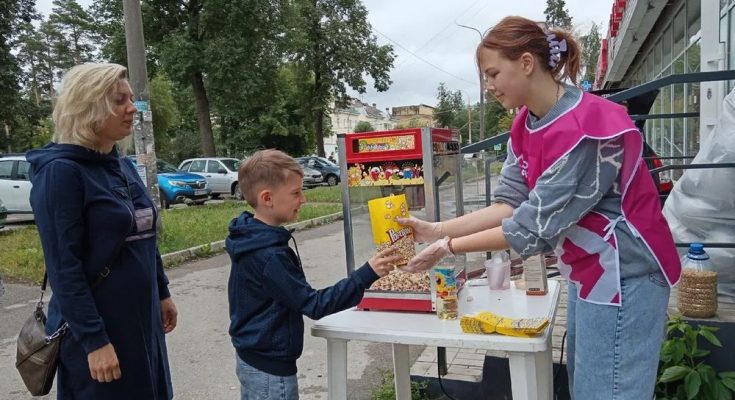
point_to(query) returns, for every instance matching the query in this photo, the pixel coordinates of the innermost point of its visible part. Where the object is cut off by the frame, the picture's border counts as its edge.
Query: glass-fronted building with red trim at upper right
(650, 39)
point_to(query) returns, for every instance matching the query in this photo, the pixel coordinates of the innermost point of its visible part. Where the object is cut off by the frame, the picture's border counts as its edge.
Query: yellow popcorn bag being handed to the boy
(386, 231)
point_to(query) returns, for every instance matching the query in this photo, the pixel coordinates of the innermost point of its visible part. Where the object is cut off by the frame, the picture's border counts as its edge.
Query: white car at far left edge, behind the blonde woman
(15, 183)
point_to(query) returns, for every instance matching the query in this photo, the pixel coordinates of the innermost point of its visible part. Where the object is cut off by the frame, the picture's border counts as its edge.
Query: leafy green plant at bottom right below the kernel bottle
(682, 373)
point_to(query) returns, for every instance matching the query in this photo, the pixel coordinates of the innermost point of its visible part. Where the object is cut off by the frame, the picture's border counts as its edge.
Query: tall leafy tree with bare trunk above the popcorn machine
(333, 43)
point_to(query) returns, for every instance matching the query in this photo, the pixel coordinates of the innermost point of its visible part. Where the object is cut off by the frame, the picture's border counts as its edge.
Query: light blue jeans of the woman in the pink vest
(614, 351)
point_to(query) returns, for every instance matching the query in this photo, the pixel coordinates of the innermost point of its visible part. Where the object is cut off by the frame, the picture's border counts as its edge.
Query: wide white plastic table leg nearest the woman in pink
(531, 375)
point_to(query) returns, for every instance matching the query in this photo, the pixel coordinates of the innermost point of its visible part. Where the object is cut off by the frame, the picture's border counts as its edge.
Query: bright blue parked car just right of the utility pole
(176, 186)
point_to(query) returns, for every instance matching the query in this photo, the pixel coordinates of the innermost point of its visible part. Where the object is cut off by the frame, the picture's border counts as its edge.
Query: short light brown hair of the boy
(265, 169)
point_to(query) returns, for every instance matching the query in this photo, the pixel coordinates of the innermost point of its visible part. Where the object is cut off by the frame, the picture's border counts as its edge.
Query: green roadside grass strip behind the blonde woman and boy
(21, 257)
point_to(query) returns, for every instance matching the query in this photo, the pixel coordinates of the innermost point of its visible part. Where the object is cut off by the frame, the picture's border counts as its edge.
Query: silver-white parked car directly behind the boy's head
(220, 173)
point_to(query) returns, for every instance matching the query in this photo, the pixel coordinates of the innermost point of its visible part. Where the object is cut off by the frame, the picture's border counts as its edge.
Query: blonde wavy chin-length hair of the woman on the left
(85, 101)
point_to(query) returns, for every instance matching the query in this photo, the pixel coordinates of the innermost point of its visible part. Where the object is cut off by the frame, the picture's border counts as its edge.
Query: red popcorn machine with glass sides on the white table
(424, 165)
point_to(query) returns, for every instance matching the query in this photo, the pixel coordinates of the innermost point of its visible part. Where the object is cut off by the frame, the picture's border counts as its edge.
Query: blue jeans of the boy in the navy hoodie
(258, 385)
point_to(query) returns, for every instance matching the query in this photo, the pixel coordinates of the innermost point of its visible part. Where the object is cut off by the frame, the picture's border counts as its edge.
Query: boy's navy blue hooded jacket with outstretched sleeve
(269, 294)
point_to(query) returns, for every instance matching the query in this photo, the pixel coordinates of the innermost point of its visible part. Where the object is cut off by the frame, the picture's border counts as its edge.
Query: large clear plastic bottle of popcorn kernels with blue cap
(698, 286)
